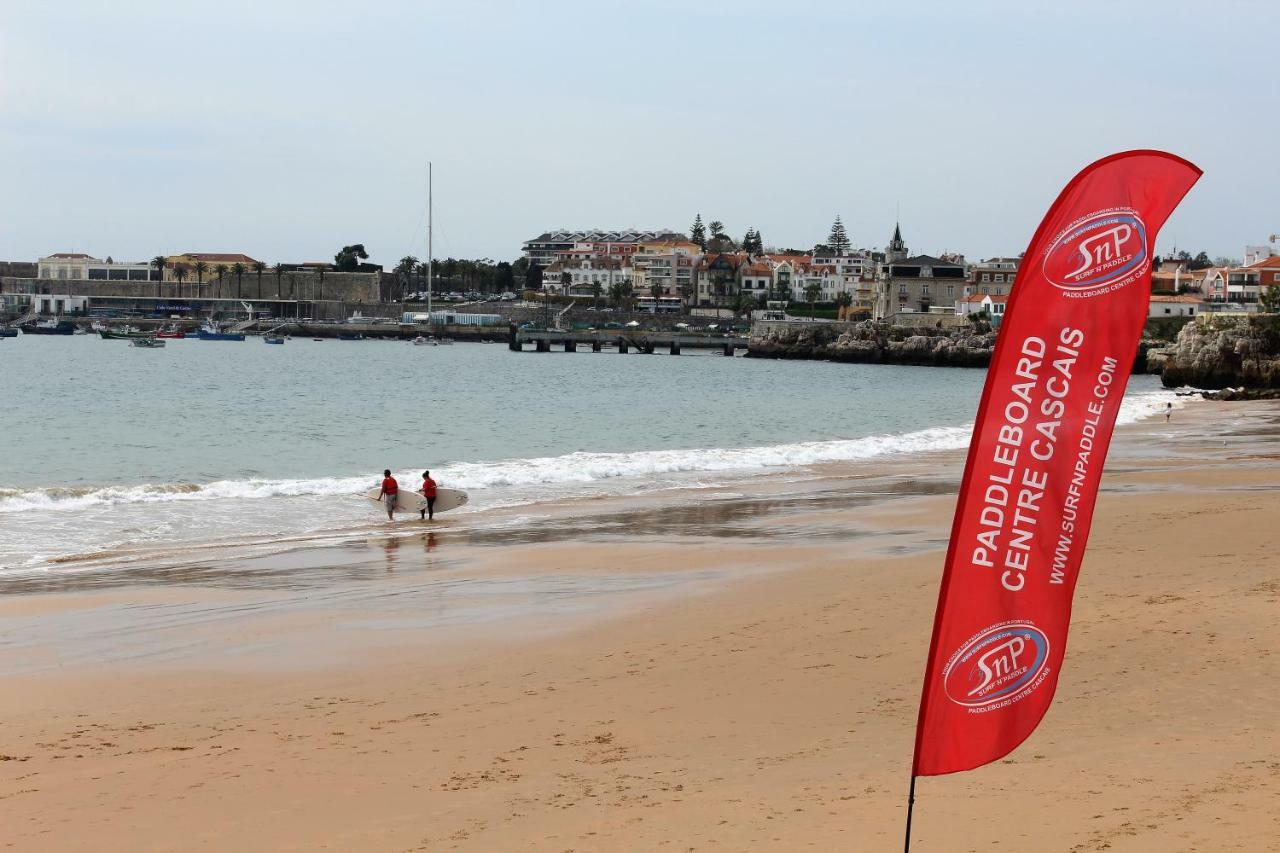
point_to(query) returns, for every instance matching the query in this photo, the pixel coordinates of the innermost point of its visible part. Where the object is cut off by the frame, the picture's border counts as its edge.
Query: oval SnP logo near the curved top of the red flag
(1098, 250)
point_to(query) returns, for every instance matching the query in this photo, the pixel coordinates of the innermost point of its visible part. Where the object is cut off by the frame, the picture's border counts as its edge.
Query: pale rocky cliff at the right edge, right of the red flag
(1223, 353)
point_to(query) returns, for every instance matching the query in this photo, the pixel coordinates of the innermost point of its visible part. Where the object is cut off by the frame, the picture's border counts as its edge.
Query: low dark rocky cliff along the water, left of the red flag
(870, 341)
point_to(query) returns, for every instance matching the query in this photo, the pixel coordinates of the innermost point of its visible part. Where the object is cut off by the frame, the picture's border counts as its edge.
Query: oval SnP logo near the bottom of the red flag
(996, 664)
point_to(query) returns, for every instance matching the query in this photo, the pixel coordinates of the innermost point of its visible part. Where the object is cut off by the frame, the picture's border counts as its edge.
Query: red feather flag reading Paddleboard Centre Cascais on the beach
(1066, 350)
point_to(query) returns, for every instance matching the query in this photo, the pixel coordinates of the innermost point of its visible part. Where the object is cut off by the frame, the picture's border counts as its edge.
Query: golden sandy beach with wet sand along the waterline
(703, 672)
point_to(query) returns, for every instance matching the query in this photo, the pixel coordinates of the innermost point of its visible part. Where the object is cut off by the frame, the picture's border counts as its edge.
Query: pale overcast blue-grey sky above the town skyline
(286, 130)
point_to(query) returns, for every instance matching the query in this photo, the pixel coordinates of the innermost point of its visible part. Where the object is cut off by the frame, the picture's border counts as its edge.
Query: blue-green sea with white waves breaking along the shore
(115, 455)
